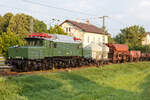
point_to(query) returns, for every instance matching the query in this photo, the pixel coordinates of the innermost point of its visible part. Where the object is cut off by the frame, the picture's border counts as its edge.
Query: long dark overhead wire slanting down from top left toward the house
(67, 10)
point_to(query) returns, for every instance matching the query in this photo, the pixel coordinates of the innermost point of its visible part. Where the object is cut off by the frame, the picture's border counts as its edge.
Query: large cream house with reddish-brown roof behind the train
(85, 31)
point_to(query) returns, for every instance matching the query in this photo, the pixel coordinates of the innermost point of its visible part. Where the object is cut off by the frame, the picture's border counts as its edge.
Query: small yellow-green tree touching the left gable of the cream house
(57, 30)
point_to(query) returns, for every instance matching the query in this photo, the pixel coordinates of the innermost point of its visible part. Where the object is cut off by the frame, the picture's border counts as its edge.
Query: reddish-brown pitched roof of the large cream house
(86, 27)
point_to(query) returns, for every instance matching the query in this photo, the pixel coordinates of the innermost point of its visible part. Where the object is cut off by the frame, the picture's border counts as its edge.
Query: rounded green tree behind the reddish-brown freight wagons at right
(132, 36)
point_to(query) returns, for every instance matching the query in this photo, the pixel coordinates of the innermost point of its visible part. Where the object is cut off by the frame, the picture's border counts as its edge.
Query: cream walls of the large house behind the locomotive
(86, 37)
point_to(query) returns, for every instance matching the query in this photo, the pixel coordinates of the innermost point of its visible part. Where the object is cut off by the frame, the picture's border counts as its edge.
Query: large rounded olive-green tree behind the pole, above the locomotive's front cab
(20, 24)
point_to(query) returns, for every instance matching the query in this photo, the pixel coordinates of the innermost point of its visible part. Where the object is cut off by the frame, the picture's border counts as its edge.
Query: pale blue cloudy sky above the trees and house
(121, 13)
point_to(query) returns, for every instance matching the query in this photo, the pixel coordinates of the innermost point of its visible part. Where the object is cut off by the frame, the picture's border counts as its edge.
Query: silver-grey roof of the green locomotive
(58, 38)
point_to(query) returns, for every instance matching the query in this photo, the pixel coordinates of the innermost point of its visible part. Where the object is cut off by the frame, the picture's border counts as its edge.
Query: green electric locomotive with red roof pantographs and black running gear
(45, 51)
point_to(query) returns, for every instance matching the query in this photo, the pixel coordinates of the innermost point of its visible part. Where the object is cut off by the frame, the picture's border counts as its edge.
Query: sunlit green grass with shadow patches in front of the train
(113, 82)
